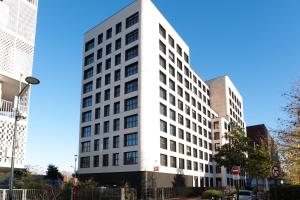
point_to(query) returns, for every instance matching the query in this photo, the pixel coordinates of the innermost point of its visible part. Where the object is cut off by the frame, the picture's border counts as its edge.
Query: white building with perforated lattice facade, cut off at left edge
(17, 37)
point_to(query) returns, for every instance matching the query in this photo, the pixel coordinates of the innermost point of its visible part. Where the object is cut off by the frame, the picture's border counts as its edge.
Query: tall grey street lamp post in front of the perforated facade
(30, 81)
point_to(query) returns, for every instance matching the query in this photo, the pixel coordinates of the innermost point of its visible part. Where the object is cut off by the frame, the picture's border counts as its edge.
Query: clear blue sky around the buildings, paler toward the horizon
(255, 42)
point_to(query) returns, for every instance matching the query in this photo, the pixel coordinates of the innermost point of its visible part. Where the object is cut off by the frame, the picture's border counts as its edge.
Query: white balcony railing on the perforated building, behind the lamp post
(7, 109)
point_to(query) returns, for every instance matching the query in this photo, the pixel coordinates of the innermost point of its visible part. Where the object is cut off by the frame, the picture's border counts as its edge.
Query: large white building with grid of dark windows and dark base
(146, 116)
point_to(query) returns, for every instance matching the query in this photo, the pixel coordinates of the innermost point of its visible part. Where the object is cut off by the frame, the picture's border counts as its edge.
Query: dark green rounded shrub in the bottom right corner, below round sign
(285, 192)
